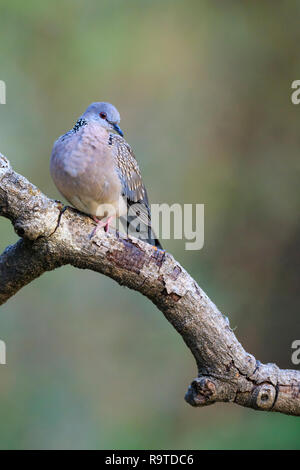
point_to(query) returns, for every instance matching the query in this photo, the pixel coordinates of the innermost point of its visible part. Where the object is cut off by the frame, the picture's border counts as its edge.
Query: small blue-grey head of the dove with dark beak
(105, 114)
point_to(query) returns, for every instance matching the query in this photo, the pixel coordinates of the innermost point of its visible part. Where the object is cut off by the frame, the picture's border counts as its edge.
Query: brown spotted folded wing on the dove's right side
(133, 188)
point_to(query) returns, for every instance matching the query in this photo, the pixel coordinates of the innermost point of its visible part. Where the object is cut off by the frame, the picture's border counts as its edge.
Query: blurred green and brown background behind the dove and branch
(204, 91)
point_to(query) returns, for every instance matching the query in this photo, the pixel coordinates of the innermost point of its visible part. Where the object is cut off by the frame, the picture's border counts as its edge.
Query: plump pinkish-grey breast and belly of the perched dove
(83, 169)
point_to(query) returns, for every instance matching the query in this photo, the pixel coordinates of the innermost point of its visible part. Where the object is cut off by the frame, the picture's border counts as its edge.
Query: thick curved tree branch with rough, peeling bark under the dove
(52, 237)
